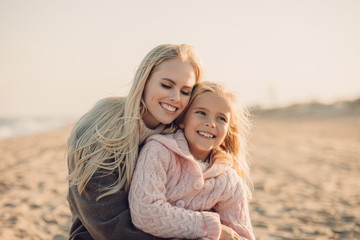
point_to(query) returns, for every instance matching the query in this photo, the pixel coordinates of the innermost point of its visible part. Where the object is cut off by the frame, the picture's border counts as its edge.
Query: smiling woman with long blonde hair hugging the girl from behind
(103, 145)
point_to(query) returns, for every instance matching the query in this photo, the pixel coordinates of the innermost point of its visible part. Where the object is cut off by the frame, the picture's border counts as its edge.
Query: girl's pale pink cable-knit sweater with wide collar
(170, 196)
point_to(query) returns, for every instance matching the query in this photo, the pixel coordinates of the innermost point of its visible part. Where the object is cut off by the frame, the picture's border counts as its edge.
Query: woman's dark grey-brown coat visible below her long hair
(107, 218)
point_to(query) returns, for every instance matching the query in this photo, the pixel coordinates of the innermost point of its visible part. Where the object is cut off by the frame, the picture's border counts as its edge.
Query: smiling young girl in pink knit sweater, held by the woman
(187, 183)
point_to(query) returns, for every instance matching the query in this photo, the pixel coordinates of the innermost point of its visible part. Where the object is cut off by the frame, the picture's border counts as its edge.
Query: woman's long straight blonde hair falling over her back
(106, 139)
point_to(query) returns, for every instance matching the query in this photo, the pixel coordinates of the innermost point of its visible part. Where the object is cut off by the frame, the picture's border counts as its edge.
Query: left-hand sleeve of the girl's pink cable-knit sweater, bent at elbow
(149, 208)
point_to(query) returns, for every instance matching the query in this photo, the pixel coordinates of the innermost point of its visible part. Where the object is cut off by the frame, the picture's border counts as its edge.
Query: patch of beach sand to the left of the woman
(33, 187)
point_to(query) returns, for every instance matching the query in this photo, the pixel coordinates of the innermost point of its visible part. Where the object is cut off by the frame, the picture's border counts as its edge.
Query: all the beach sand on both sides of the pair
(305, 172)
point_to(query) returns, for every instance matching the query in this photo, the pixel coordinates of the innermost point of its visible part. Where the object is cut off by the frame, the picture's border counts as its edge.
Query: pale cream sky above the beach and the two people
(57, 58)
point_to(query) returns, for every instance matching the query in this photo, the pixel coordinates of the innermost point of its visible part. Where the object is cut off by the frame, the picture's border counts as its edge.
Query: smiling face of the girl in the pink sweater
(206, 124)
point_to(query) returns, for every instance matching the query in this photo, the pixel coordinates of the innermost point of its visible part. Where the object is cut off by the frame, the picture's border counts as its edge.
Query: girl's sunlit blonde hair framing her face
(234, 147)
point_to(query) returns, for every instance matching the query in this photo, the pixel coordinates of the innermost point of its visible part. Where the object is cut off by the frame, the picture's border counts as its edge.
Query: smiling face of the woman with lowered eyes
(167, 91)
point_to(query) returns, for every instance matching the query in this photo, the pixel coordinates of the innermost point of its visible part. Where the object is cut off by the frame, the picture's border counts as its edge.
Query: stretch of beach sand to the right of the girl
(306, 178)
